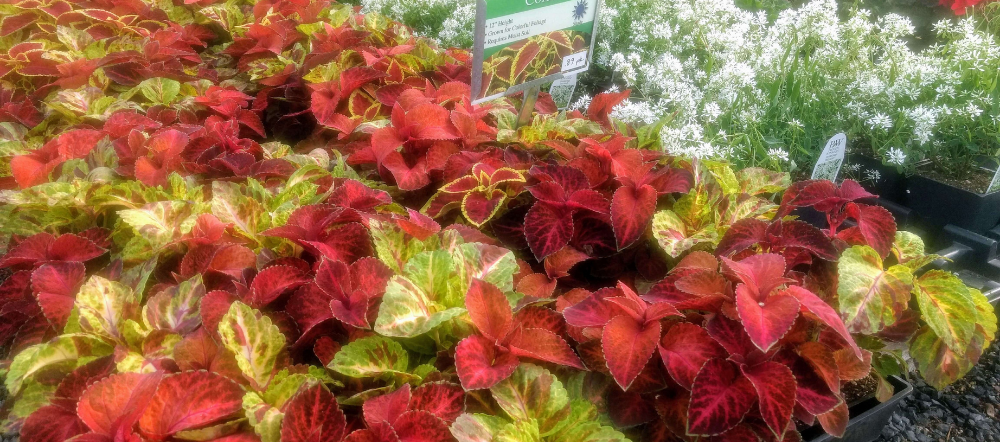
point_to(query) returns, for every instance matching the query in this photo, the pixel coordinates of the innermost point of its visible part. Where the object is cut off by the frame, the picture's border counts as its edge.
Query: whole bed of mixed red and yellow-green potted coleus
(284, 220)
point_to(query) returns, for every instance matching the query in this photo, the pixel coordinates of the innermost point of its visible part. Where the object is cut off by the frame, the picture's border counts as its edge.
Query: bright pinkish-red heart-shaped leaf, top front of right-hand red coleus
(766, 320)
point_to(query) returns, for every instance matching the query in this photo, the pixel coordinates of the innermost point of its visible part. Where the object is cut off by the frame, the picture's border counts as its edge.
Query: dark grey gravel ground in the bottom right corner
(966, 411)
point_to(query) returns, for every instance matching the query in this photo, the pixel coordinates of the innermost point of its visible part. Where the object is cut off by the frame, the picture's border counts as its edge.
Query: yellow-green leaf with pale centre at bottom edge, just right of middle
(533, 393)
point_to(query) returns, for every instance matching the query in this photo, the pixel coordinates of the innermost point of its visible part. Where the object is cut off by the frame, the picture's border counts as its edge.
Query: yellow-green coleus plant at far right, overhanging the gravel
(945, 334)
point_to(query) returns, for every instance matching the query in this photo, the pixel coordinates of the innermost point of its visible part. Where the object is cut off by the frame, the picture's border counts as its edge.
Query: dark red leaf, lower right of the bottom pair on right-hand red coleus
(775, 387)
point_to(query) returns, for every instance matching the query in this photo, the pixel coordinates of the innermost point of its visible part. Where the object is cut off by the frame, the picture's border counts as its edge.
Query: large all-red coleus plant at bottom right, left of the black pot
(736, 335)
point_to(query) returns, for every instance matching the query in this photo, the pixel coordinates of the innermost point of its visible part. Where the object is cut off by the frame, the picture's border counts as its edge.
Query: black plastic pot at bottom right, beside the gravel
(867, 417)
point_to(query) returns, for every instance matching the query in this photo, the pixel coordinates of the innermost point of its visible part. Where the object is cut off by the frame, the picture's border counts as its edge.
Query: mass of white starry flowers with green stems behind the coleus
(760, 83)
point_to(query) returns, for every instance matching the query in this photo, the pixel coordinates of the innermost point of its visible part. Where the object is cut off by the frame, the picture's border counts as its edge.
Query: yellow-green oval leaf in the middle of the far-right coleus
(947, 307)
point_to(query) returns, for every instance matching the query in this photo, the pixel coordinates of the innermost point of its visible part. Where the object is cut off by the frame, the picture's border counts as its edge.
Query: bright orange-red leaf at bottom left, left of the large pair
(112, 406)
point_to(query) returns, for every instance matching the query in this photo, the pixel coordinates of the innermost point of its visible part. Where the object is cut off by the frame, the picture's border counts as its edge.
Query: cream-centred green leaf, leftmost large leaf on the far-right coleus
(871, 298)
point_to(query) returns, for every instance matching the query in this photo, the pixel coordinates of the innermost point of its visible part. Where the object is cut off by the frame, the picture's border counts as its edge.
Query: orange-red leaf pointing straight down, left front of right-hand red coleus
(628, 344)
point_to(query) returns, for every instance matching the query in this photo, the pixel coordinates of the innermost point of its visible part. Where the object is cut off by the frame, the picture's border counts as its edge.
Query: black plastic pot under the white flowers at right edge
(944, 204)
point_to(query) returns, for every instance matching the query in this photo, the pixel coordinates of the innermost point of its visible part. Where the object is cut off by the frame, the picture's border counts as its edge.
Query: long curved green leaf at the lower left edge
(58, 356)
